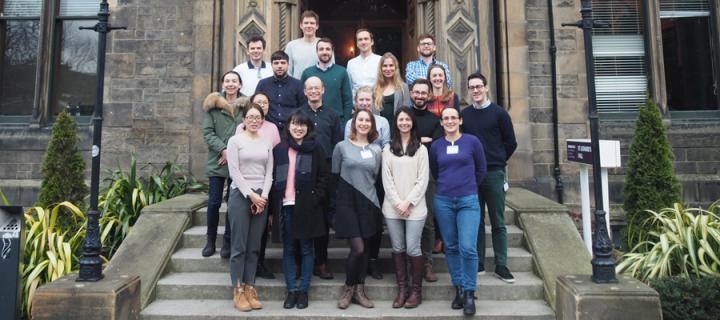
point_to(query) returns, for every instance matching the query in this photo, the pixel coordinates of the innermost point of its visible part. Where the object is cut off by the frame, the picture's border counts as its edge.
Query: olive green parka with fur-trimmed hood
(221, 119)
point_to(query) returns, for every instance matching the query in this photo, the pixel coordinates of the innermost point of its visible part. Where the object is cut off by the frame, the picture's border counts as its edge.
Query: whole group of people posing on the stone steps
(305, 145)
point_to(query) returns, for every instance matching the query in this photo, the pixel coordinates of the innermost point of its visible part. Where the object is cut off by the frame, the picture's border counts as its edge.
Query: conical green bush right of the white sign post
(650, 182)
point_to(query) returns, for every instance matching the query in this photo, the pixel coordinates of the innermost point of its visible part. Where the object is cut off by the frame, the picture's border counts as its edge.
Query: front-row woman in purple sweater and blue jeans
(458, 164)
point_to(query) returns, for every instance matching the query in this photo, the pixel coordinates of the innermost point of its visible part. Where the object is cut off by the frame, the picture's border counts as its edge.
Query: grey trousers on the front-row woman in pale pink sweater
(246, 234)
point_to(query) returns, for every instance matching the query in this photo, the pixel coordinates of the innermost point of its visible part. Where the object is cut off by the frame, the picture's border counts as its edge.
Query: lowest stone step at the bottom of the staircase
(223, 309)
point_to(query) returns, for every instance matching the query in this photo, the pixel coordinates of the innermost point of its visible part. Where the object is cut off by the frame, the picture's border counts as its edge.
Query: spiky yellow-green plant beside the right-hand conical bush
(686, 243)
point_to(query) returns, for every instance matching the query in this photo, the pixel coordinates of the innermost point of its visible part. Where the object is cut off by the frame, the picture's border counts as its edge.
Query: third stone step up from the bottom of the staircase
(190, 260)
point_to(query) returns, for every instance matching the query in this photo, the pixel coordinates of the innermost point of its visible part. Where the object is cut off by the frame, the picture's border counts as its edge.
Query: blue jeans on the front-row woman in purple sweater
(459, 221)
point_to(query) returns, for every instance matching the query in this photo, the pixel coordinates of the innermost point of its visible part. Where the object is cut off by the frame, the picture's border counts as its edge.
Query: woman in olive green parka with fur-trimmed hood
(222, 115)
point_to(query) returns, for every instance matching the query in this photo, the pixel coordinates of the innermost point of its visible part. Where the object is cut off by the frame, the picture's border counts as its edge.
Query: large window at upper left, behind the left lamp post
(24, 96)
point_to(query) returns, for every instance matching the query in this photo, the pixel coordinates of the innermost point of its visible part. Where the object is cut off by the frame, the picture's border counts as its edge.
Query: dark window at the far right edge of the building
(689, 44)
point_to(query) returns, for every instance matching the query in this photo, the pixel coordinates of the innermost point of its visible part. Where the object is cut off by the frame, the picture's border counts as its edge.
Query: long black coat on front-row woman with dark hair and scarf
(311, 177)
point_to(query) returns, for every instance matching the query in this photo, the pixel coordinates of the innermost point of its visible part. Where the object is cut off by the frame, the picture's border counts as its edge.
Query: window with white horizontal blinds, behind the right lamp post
(619, 52)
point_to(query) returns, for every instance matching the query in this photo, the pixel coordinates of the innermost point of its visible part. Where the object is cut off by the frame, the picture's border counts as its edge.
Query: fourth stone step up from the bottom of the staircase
(195, 237)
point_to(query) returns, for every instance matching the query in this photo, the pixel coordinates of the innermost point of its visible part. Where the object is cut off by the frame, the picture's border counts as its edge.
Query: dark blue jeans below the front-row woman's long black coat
(289, 247)
